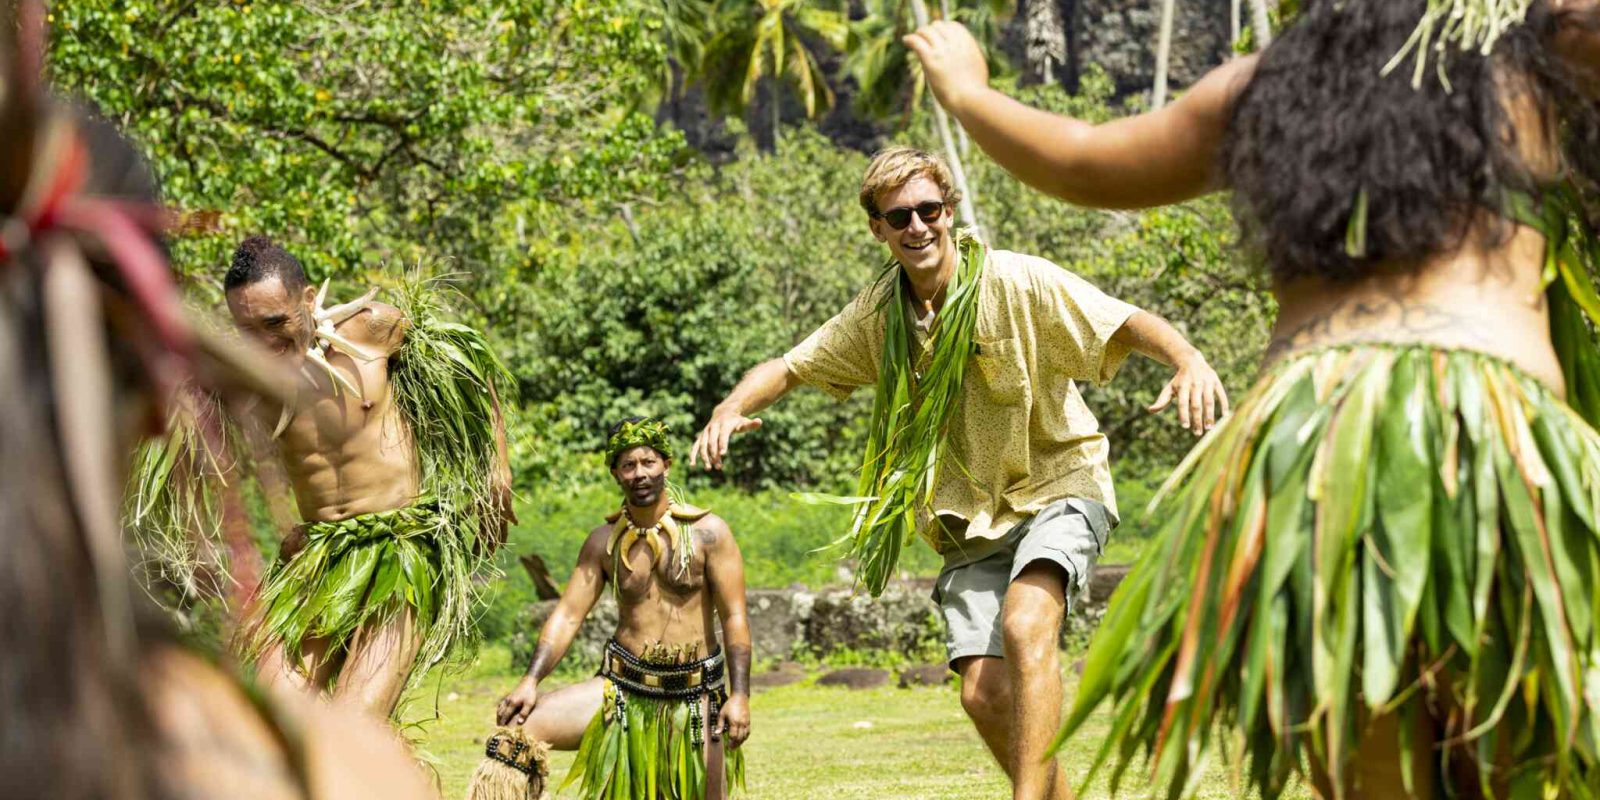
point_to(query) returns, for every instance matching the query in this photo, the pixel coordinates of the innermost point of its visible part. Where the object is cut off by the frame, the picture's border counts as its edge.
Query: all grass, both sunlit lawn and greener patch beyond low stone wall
(809, 742)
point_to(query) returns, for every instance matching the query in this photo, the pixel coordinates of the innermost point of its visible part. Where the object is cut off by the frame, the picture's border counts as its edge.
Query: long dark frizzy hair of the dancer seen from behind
(1321, 126)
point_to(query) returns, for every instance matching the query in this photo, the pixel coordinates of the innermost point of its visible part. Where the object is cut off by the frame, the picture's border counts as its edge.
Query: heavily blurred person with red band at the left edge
(97, 702)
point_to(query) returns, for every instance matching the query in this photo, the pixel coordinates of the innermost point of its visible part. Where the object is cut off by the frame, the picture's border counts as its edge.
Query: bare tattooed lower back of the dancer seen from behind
(1489, 297)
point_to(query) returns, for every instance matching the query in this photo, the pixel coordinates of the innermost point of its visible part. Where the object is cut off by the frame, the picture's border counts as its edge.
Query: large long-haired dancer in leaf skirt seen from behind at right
(1385, 566)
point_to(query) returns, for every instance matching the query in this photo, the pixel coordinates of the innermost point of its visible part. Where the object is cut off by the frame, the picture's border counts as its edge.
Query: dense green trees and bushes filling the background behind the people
(615, 270)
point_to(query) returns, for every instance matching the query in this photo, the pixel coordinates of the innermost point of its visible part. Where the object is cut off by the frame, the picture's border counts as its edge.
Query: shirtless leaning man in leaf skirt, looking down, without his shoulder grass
(372, 586)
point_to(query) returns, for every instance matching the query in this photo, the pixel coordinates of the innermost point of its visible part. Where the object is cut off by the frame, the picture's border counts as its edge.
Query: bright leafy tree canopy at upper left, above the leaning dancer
(378, 135)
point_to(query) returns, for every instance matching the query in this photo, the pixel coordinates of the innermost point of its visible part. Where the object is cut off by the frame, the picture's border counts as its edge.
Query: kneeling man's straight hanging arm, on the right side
(726, 577)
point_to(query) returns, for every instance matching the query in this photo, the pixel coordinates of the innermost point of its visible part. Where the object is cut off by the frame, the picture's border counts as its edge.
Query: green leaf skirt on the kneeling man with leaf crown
(641, 748)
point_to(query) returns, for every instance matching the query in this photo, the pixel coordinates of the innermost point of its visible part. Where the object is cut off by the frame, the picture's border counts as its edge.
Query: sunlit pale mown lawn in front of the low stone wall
(807, 742)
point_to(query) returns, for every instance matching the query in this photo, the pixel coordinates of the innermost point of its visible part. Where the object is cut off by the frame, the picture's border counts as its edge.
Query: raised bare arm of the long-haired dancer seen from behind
(1161, 158)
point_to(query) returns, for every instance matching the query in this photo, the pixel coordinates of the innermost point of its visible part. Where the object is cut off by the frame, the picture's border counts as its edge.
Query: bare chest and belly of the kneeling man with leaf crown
(660, 602)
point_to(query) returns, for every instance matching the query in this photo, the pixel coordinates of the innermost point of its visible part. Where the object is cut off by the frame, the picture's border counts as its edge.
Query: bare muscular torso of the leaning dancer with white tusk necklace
(348, 455)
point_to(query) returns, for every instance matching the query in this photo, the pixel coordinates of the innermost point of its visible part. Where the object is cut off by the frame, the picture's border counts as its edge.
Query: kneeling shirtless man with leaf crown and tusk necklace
(655, 721)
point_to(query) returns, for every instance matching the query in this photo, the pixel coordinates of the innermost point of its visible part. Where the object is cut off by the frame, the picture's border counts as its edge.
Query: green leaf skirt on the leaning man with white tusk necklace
(361, 572)
